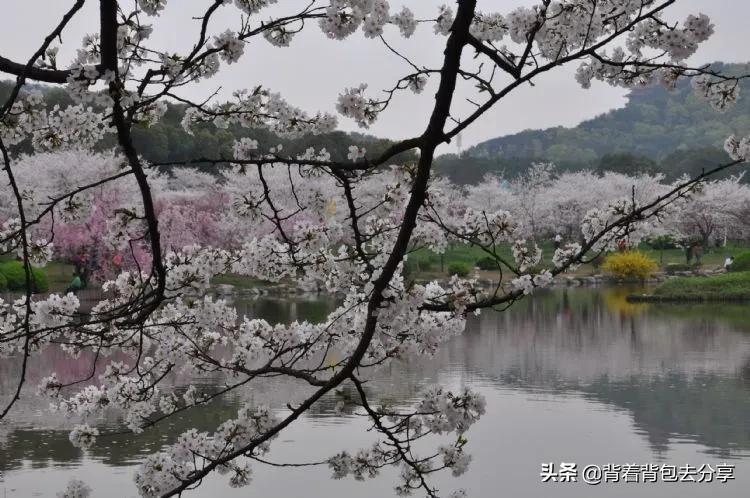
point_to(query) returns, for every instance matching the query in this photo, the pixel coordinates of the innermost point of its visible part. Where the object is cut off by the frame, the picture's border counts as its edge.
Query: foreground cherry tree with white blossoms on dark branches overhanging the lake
(353, 242)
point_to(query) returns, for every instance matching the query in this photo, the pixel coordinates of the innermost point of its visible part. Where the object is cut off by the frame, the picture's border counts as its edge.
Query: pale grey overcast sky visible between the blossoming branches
(313, 71)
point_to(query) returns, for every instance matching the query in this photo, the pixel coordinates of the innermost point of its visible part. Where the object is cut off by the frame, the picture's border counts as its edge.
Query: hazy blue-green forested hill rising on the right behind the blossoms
(654, 125)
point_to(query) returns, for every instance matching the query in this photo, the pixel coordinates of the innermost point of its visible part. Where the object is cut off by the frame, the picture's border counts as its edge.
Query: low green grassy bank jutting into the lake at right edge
(725, 287)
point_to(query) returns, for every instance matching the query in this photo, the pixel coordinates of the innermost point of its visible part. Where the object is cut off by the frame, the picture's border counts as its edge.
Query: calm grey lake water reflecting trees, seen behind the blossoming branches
(570, 375)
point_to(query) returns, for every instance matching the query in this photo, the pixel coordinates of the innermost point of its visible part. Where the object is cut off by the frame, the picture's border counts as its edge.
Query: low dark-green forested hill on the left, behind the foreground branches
(166, 141)
